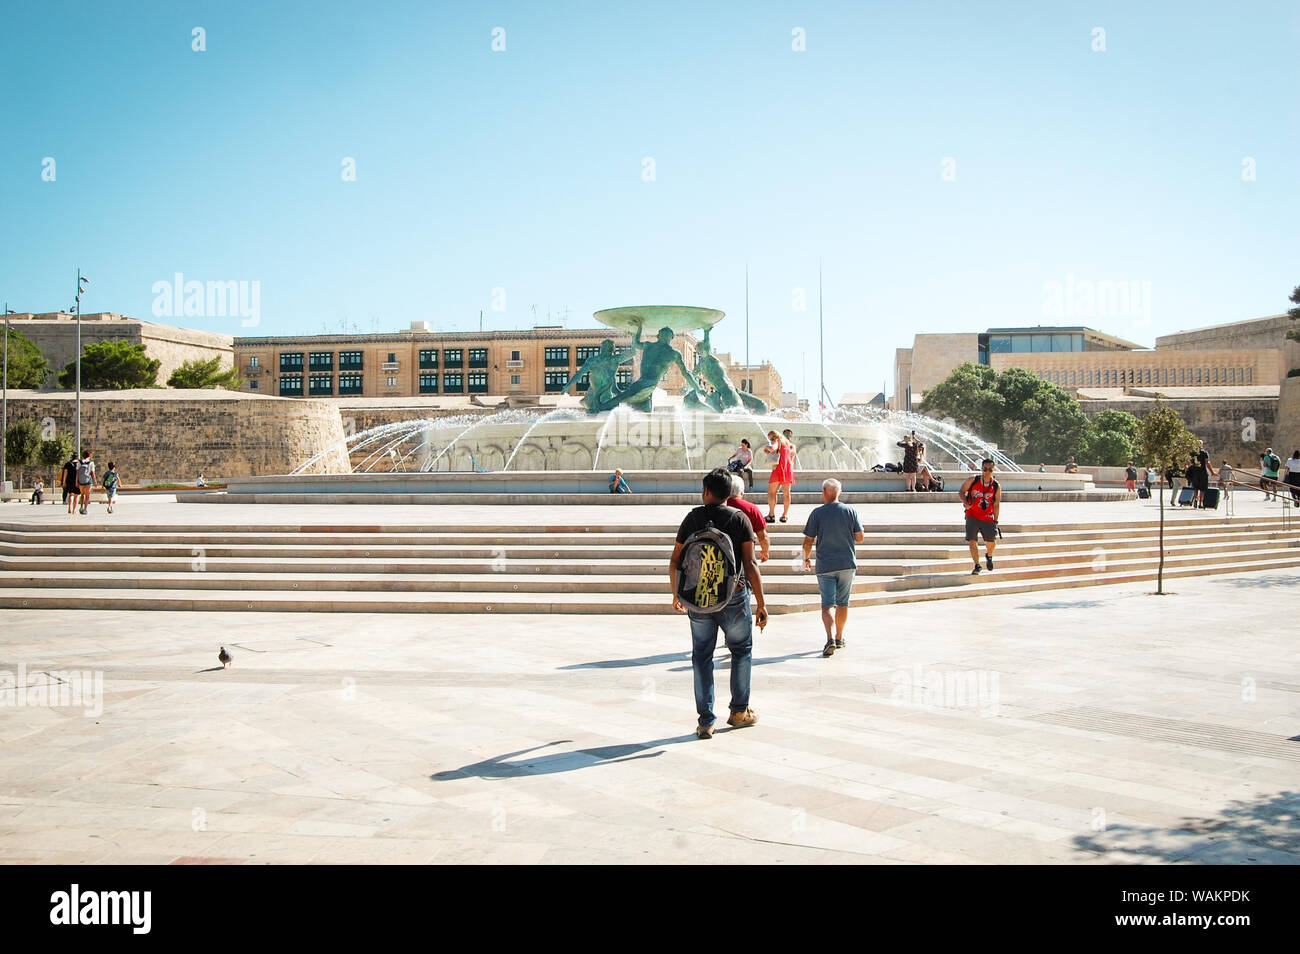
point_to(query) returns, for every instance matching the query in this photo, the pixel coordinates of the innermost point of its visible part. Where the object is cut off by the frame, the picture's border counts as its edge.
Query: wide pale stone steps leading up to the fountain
(574, 570)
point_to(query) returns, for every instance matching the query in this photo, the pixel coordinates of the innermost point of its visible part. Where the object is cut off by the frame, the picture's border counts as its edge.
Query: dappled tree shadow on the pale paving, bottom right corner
(1243, 834)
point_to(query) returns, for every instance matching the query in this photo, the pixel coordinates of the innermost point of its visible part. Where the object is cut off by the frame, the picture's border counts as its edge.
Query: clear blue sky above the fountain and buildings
(523, 170)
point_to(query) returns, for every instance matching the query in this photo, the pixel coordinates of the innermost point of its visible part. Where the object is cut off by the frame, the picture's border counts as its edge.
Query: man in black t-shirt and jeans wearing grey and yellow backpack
(712, 571)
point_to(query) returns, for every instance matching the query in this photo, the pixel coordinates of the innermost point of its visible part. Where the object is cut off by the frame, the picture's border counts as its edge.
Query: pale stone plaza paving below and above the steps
(1090, 726)
